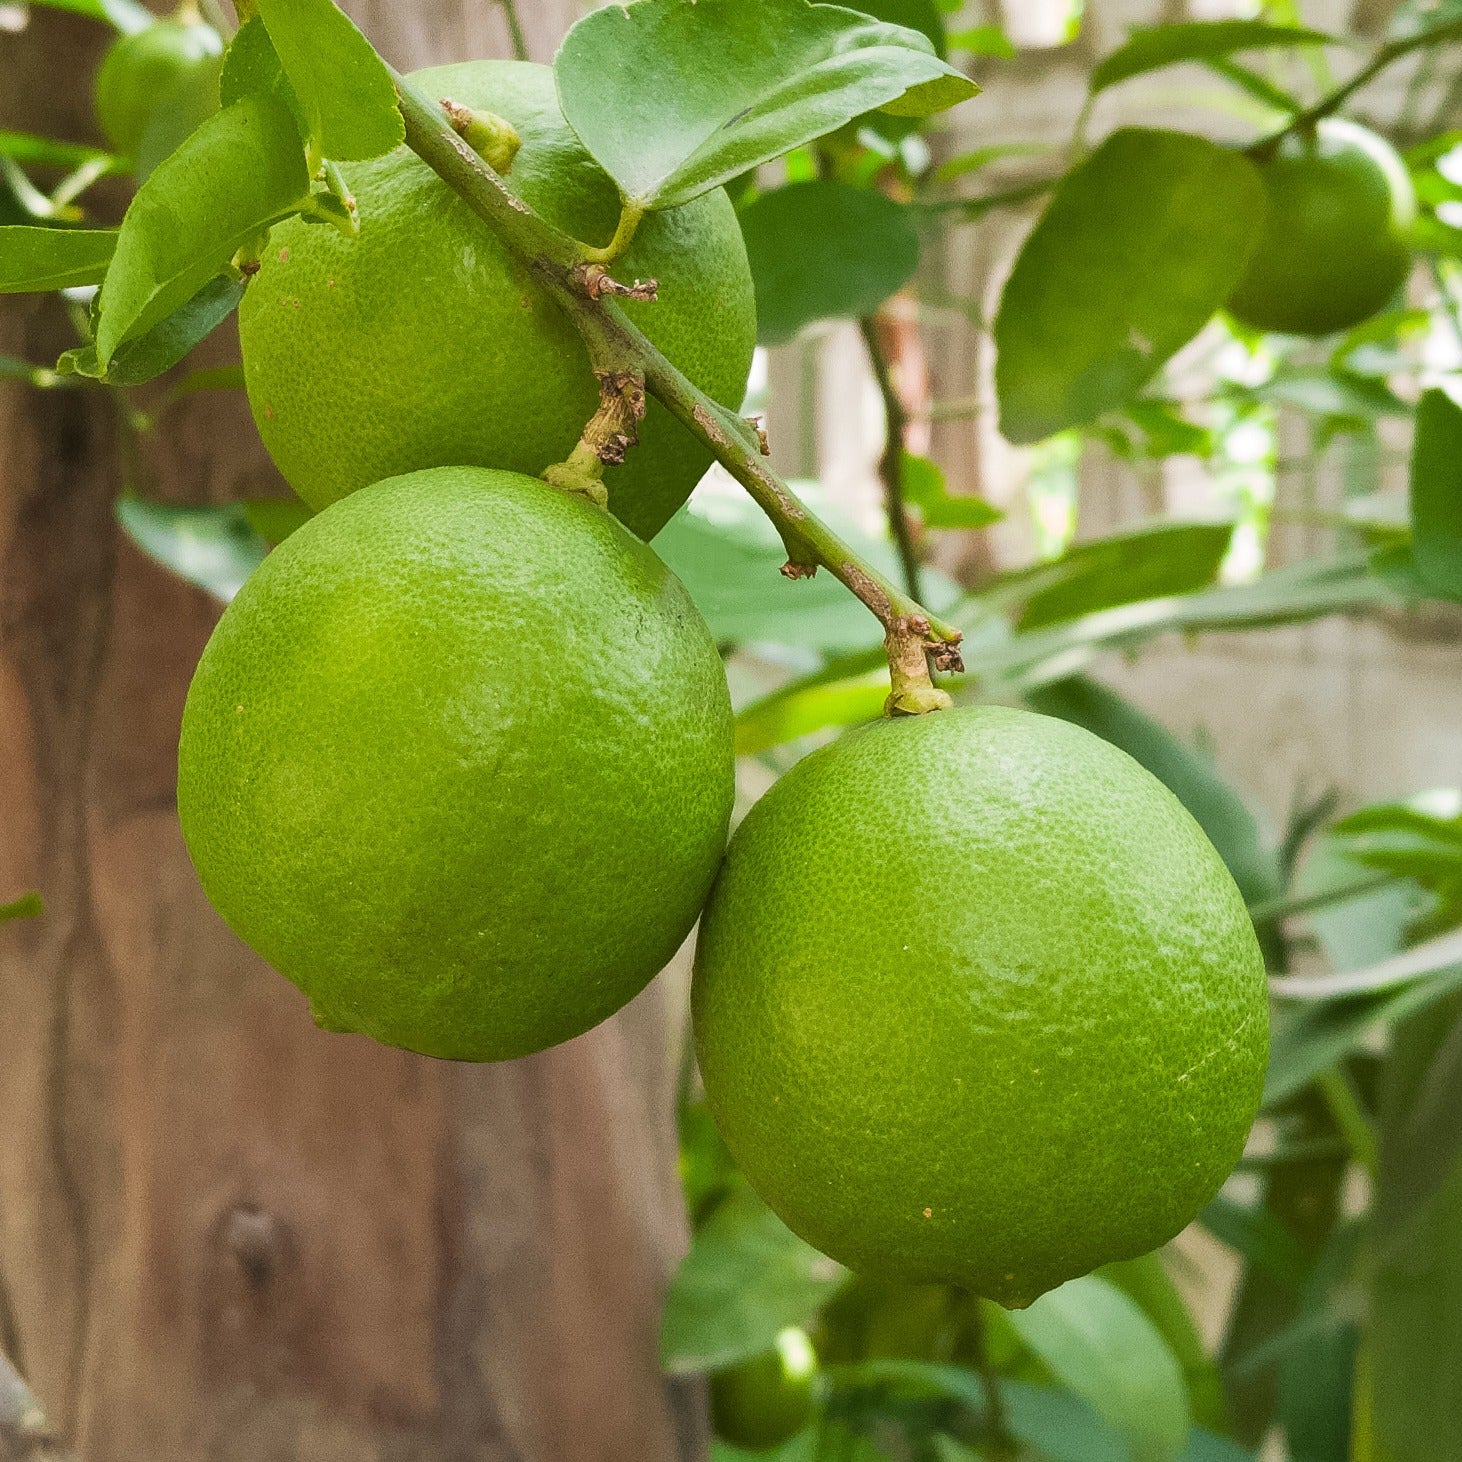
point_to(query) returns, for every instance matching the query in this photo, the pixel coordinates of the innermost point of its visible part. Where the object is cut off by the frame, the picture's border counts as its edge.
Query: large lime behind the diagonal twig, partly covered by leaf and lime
(425, 343)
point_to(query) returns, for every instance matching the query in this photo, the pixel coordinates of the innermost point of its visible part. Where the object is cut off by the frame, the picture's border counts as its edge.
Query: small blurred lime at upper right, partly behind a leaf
(1334, 248)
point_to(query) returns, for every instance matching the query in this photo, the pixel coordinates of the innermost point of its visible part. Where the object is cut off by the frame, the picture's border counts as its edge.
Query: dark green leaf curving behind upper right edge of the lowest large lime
(1188, 774)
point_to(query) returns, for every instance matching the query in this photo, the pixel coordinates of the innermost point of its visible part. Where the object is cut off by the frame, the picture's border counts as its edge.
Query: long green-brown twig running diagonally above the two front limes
(616, 347)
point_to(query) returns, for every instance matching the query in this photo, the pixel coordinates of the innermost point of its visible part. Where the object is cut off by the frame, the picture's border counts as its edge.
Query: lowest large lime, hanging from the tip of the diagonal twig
(979, 1004)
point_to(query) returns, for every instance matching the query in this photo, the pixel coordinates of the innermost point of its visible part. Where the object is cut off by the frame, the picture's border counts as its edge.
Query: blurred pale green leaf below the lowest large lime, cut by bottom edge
(1100, 1344)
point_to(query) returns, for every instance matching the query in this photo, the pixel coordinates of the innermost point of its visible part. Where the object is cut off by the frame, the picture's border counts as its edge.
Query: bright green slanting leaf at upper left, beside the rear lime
(242, 172)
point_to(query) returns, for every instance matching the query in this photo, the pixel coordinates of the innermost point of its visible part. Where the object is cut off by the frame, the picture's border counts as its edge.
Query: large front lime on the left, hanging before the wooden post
(458, 762)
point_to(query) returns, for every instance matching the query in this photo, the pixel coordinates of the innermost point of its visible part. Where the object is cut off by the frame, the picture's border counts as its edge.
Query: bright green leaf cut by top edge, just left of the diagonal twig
(346, 94)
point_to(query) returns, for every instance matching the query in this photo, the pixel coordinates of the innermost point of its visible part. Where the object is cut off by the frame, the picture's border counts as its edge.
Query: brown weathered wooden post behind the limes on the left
(223, 1233)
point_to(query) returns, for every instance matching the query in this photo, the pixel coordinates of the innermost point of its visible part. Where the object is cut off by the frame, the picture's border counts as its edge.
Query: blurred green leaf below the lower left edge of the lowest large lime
(746, 1280)
